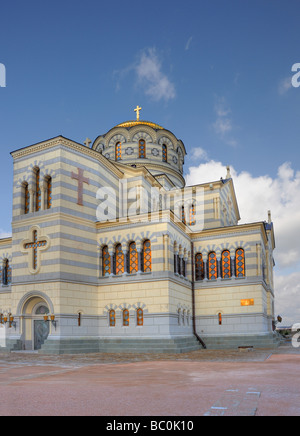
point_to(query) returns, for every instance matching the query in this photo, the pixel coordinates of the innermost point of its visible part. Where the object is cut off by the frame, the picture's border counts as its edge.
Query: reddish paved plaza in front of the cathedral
(200, 383)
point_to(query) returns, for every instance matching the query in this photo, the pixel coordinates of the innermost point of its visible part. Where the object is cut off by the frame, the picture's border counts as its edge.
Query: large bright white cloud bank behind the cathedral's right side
(257, 195)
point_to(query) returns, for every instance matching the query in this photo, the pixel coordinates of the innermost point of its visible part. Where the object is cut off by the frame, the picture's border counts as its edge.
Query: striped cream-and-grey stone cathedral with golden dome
(112, 252)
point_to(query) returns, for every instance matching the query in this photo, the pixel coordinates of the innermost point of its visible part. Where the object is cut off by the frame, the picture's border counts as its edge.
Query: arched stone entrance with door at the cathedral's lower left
(35, 330)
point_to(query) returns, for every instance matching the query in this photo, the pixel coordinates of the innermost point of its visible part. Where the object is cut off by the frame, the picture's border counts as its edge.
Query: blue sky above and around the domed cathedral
(216, 73)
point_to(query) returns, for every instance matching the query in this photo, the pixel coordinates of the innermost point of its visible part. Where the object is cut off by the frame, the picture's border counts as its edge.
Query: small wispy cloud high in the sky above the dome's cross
(150, 76)
